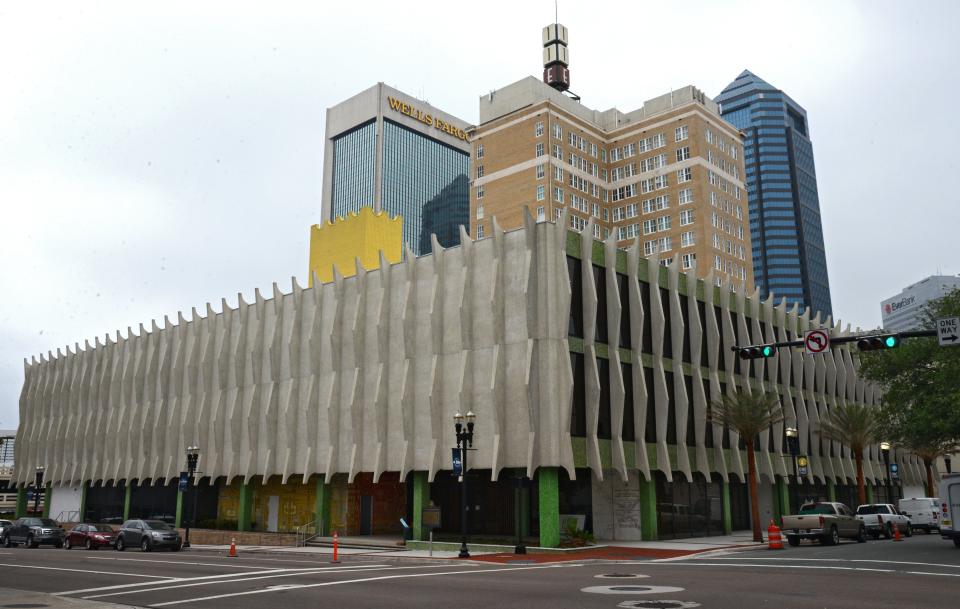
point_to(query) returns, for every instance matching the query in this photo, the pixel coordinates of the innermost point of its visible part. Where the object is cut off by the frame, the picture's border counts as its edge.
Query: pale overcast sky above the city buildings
(156, 158)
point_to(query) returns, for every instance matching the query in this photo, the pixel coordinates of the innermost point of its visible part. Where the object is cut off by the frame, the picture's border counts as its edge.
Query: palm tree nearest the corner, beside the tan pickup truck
(748, 414)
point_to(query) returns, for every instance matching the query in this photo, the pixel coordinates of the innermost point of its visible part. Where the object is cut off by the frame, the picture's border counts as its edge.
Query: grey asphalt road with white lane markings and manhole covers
(923, 571)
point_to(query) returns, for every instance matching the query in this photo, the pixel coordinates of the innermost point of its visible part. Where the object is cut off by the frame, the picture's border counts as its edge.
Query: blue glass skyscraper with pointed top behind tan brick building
(789, 259)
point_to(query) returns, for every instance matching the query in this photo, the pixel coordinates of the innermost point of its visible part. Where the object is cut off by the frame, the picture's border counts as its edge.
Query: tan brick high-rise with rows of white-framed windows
(670, 174)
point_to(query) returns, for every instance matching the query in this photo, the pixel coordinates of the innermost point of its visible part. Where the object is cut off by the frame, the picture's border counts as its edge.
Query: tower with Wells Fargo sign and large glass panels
(399, 155)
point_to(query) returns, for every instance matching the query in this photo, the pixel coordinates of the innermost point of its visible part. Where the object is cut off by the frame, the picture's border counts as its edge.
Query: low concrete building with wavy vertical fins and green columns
(590, 370)
